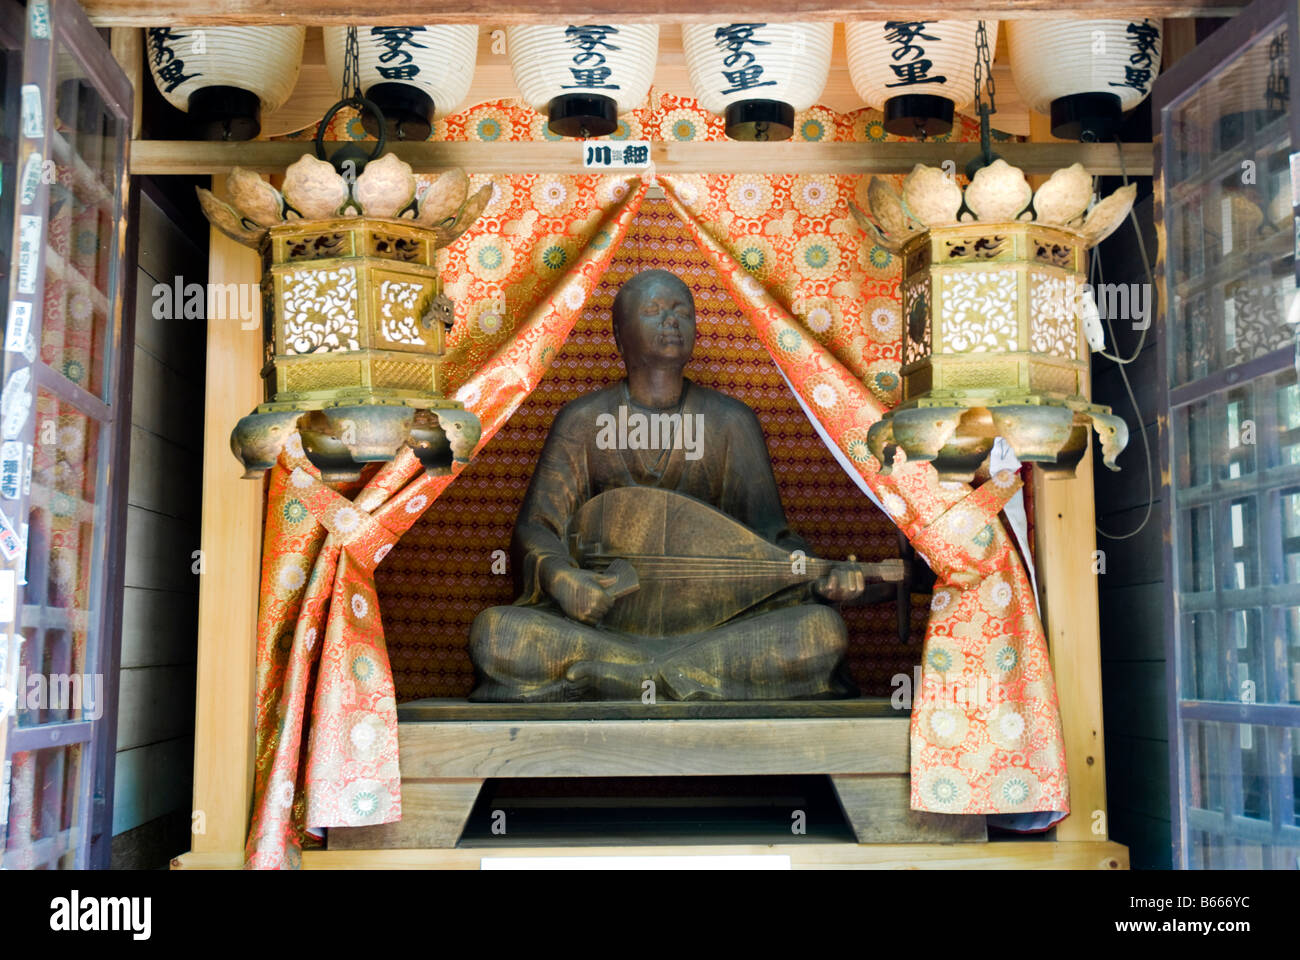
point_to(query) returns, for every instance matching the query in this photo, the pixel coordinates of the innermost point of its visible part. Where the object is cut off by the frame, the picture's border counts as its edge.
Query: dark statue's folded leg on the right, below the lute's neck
(791, 654)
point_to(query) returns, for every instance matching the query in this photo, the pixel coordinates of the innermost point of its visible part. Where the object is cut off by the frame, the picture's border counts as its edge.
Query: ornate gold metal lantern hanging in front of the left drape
(356, 317)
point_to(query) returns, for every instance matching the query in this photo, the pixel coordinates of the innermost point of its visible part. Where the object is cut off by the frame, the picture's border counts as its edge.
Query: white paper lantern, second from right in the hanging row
(917, 72)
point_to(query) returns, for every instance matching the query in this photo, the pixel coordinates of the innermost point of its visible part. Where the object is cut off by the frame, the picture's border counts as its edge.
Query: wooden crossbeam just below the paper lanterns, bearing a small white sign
(190, 158)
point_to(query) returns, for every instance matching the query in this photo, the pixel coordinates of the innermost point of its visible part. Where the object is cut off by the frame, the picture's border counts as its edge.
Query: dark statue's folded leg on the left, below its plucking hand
(532, 654)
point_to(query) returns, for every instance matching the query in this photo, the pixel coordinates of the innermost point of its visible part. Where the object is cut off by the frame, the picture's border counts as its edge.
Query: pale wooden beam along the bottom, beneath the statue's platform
(1012, 855)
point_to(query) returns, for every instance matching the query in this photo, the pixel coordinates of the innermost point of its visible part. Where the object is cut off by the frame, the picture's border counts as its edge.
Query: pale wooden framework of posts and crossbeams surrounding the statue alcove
(232, 513)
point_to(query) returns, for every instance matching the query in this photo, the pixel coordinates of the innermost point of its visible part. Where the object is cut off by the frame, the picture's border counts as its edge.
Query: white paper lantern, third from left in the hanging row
(584, 75)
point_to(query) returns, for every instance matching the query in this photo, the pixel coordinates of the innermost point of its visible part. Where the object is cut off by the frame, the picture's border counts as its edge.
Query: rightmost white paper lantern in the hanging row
(1085, 72)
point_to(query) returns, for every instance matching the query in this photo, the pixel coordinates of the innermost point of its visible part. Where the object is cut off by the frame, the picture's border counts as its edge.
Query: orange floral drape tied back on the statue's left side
(327, 751)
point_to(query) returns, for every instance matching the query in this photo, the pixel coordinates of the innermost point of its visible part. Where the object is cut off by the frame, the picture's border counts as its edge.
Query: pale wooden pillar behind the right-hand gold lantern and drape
(1065, 537)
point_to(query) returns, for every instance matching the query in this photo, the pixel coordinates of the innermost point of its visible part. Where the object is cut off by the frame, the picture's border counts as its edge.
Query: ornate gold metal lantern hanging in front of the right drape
(994, 299)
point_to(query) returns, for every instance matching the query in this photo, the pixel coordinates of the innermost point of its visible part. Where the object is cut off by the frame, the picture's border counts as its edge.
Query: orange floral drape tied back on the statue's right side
(986, 732)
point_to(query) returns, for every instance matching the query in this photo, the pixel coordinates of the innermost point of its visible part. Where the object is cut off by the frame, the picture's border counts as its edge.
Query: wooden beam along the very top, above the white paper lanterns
(115, 14)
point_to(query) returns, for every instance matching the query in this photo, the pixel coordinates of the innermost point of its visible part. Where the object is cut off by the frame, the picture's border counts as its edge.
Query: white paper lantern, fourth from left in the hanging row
(759, 76)
